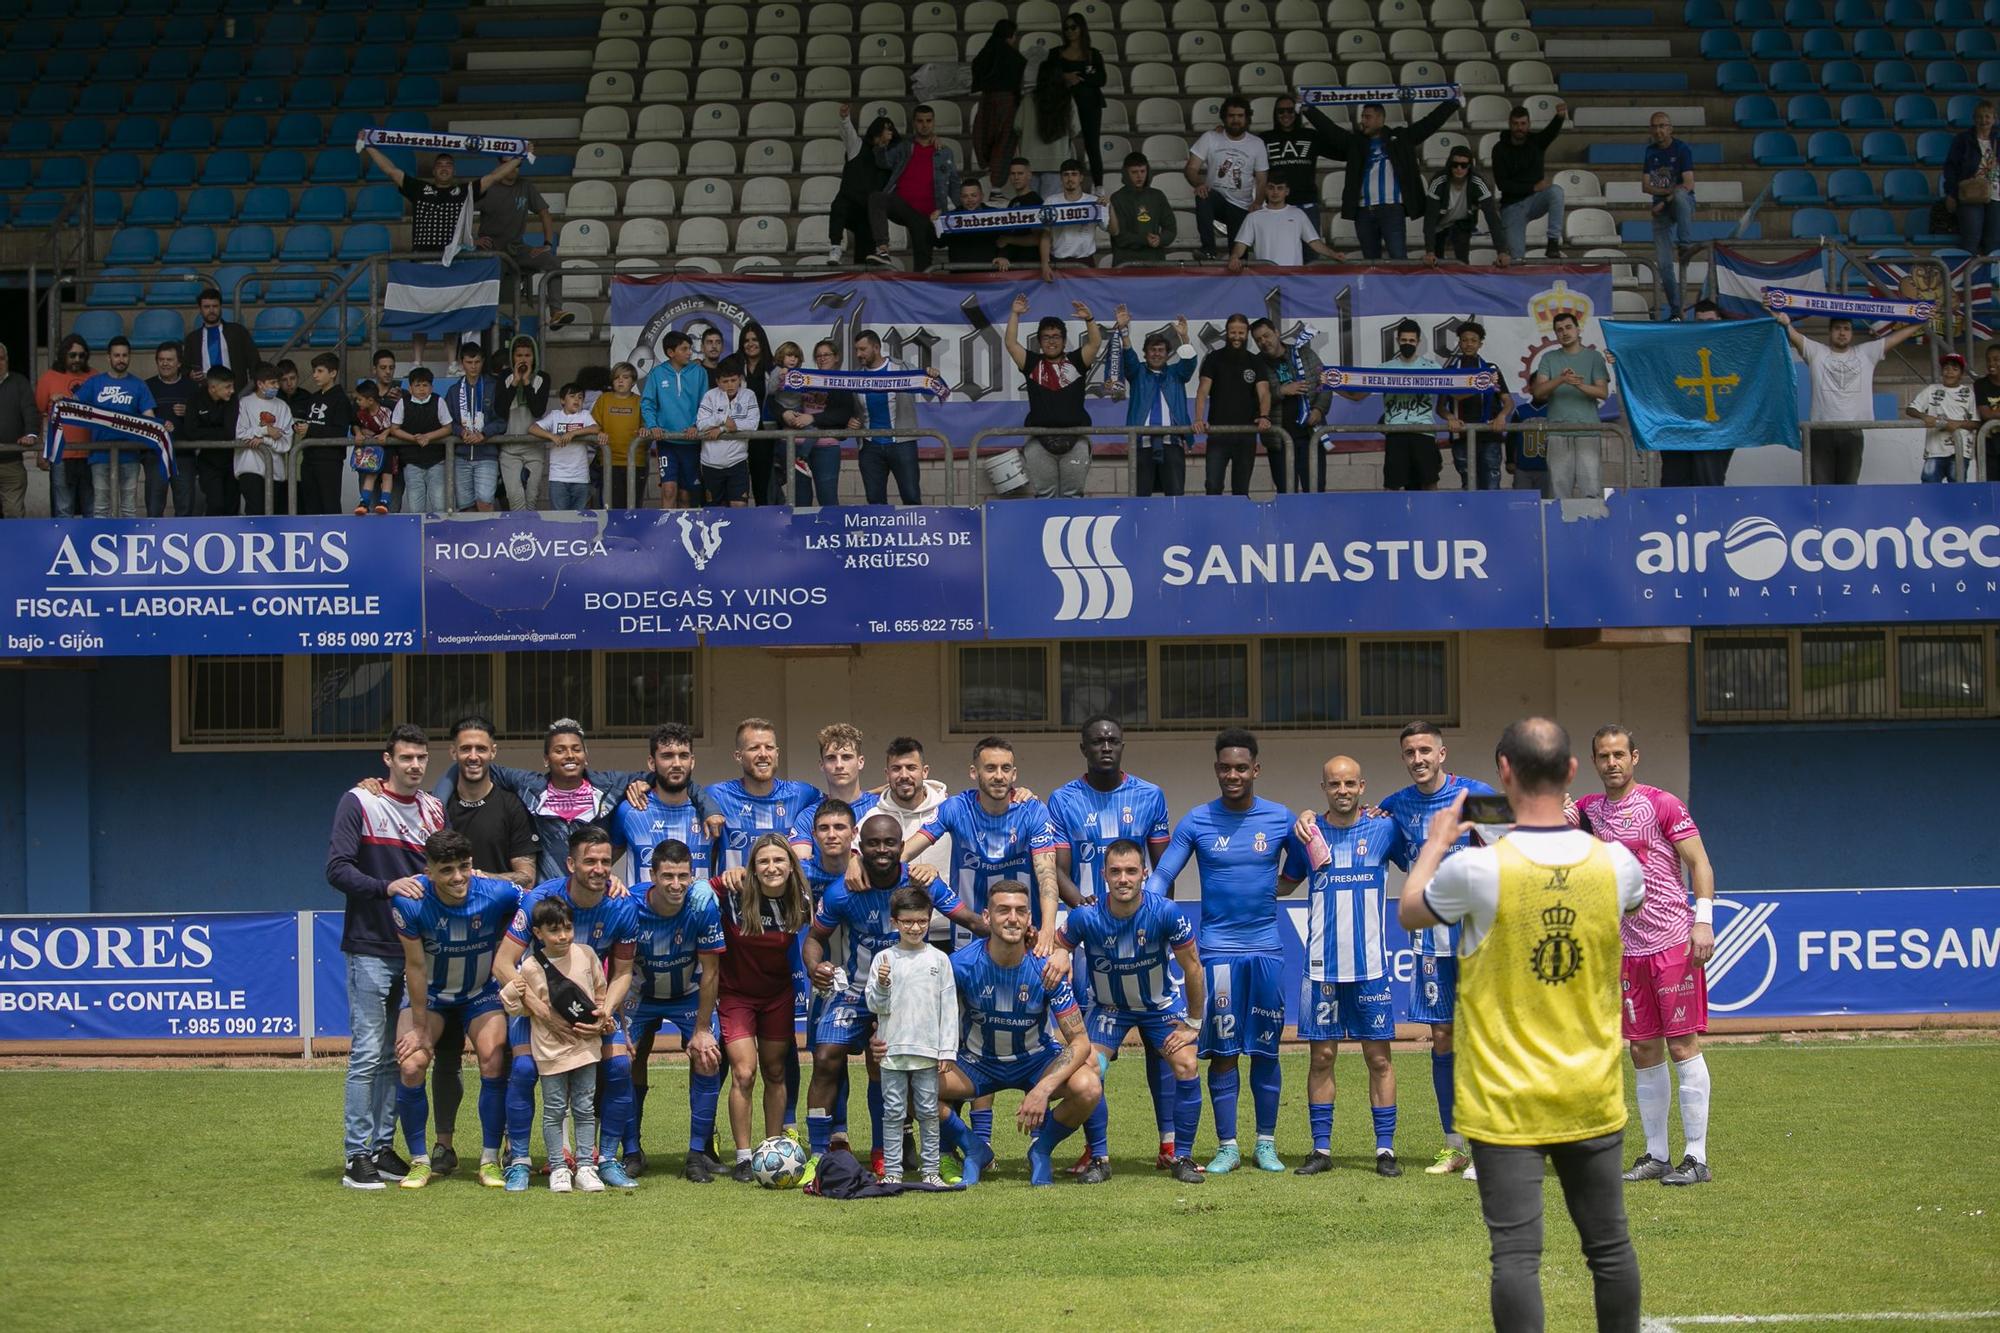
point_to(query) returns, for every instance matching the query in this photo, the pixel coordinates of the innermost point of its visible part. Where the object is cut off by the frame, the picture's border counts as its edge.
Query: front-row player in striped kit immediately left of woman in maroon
(675, 978)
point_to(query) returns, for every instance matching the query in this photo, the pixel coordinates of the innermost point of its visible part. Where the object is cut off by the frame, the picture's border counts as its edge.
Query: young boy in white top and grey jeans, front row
(915, 998)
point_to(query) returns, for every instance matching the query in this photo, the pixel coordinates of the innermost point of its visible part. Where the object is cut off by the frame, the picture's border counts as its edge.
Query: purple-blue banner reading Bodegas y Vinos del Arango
(641, 579)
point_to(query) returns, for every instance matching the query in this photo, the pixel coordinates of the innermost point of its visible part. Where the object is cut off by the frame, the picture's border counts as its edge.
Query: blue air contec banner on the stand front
(1777, 555)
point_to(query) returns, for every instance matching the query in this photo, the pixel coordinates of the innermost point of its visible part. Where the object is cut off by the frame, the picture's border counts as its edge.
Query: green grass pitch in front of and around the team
(1851, 1178)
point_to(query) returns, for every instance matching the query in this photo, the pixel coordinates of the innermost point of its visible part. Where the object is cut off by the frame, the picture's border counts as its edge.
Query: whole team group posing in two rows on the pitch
(937, 938)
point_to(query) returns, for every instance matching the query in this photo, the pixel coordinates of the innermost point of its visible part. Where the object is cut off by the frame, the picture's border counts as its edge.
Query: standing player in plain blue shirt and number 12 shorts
(1239, 844)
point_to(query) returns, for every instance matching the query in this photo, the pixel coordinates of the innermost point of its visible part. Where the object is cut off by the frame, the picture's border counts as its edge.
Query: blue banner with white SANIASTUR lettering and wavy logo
(1223, 565)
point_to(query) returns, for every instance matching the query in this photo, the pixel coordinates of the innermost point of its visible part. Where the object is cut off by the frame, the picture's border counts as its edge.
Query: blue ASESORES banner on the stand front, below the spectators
(211, 585)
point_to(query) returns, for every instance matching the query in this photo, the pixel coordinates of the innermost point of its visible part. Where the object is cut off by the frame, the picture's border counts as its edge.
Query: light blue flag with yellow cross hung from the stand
(1707, 385)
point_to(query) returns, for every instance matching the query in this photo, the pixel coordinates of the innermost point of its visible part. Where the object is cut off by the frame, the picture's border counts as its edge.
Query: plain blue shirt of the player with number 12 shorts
(1239, 856)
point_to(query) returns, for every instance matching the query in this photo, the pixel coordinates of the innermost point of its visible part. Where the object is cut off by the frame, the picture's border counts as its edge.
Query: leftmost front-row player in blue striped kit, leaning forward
(449, 942)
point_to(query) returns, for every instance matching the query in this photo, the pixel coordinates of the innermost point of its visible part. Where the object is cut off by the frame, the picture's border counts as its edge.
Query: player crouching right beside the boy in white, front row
(1007, 1004)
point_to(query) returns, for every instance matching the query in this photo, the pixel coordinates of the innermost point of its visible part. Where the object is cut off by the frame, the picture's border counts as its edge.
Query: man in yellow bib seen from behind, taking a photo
(1539, 1040)
